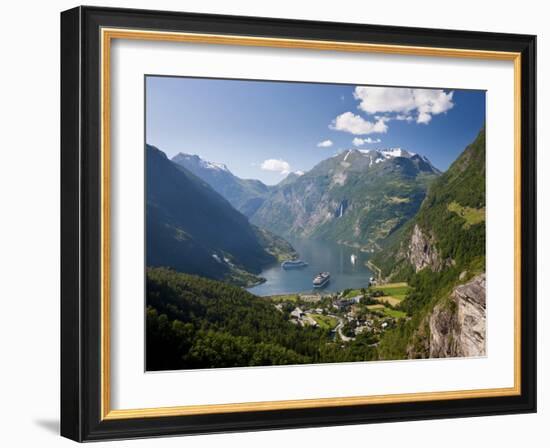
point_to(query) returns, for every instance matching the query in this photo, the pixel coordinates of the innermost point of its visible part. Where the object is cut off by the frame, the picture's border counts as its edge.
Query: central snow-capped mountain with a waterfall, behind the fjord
(357, 198)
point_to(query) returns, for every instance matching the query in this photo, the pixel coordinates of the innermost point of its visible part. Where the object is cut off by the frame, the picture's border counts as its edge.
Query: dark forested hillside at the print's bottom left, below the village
(193, 322)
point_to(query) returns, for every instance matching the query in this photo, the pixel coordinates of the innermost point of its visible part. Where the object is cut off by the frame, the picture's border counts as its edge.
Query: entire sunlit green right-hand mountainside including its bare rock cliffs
(441, 253)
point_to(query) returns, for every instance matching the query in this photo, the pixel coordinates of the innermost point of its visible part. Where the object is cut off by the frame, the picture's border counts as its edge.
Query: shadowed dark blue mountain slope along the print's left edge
(191, 228)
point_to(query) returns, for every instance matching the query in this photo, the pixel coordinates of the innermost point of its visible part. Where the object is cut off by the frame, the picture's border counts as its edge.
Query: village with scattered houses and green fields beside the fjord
(348, 313)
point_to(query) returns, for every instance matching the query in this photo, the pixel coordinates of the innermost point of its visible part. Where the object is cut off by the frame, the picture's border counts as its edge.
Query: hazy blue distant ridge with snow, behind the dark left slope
(246, 195)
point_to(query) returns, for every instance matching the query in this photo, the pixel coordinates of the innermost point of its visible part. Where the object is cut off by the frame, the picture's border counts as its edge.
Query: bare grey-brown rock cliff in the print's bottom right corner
(457, 326)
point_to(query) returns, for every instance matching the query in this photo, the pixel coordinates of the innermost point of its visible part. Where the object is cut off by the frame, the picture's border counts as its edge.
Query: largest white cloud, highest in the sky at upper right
(406, 103)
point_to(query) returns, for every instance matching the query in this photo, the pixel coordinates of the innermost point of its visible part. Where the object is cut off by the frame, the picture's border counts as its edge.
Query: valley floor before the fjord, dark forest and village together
(193, 322)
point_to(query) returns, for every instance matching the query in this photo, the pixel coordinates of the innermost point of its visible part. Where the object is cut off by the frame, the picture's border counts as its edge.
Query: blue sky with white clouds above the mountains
(265, 129)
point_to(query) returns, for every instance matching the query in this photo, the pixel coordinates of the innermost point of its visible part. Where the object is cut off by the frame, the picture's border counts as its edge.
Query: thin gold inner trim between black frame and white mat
(107, 35)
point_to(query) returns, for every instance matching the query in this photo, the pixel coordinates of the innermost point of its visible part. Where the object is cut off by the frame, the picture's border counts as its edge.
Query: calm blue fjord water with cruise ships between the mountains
(321, 256)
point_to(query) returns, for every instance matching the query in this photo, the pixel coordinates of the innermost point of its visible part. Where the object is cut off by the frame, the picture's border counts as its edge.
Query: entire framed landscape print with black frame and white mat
(273, 223)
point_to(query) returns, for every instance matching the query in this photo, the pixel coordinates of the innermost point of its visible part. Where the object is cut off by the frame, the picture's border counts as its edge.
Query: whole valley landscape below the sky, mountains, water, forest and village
(403, 242)
